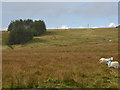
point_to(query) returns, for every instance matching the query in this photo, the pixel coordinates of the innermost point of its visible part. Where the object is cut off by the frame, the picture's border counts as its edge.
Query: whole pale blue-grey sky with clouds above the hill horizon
(63, 14)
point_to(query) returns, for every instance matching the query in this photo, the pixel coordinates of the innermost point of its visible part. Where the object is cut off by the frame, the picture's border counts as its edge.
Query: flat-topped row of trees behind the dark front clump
(36, 27)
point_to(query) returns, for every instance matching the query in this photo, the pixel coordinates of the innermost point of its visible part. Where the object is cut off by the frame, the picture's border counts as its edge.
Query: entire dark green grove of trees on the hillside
(22, 31)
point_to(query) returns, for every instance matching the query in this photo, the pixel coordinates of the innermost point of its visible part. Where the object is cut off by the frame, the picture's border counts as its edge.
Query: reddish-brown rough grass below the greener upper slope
(72, 66)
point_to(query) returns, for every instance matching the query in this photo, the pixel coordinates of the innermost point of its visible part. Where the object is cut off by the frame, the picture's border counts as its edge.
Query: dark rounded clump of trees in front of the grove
(19, 35)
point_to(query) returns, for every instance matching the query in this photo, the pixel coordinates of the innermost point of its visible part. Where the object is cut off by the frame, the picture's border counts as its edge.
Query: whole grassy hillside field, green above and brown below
(61, 59)
